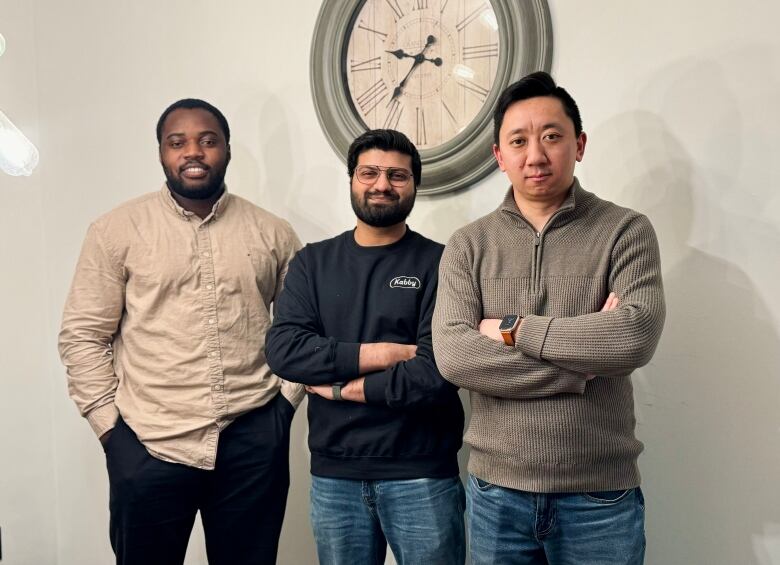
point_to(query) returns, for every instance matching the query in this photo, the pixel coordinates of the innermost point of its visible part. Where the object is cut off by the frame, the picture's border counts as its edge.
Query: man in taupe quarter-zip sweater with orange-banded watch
(545, 307)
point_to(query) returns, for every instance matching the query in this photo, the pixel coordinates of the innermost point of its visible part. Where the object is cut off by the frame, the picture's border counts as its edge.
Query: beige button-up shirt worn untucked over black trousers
(166, 318)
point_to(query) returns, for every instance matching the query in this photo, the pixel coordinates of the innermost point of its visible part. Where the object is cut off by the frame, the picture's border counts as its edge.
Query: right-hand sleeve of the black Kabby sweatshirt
(416, 382)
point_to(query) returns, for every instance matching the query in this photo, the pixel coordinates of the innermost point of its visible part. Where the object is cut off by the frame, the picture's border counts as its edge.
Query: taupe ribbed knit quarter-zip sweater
(537, 423)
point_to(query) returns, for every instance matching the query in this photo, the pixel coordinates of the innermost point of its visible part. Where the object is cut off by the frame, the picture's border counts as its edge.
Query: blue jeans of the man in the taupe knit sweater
(508, 526)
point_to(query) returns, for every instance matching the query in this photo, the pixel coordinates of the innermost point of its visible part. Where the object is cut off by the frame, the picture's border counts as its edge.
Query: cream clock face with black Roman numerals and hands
(423, 67)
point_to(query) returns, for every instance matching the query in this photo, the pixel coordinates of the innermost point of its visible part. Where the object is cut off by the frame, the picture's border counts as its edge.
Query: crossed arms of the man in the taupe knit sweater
(551, 355)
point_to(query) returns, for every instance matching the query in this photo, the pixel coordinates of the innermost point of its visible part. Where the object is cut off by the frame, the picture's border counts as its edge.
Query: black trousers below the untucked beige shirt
(242, 501)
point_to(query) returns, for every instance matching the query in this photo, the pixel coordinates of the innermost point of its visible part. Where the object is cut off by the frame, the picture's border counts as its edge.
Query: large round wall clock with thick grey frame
(430, 68)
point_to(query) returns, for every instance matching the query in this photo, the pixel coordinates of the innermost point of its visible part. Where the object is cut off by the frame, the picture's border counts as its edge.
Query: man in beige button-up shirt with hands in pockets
(163, 338)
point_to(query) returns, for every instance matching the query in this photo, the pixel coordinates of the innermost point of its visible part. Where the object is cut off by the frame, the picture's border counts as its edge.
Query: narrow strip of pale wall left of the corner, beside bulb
(28, 501)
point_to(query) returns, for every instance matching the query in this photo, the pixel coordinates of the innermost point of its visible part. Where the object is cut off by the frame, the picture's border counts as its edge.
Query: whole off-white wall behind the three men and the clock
(680, 101)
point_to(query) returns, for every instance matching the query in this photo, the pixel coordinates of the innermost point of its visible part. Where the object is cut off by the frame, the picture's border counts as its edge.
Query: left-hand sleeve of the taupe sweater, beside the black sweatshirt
(475, 362)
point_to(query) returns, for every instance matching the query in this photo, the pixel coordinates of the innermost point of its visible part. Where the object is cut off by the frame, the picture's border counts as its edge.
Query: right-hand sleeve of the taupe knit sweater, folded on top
(610, 343)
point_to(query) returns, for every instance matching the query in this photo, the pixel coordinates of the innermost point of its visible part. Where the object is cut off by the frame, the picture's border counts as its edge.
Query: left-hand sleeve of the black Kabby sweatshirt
(295, 347)
